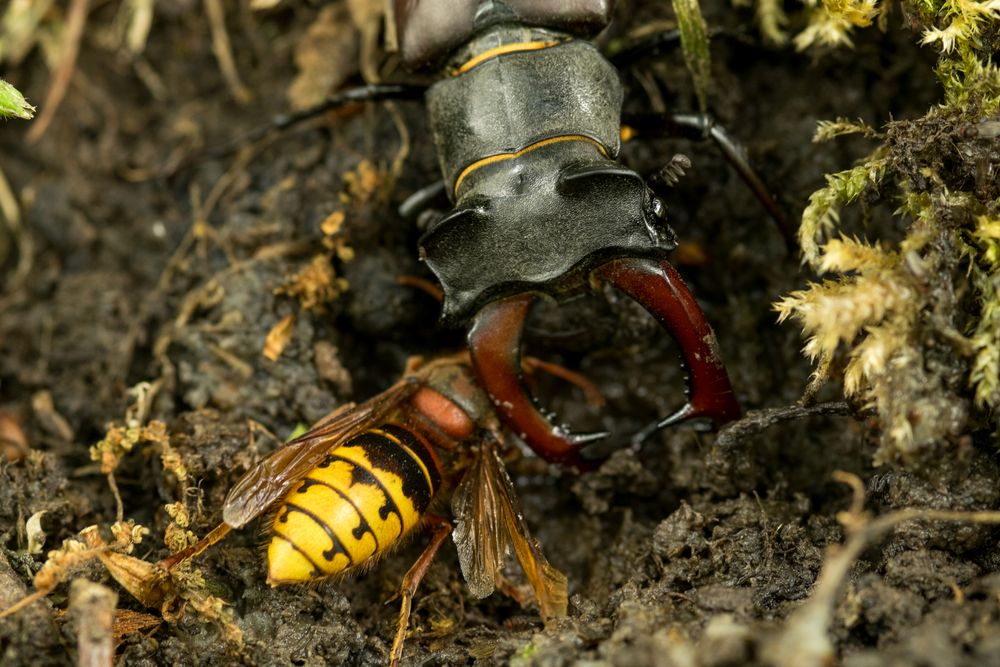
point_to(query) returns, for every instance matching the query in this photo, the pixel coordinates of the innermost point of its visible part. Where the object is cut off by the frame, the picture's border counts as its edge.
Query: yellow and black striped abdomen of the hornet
(355, 505)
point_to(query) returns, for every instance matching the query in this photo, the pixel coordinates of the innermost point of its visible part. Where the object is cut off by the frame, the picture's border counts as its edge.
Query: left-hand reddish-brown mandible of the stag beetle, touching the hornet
(495, 347)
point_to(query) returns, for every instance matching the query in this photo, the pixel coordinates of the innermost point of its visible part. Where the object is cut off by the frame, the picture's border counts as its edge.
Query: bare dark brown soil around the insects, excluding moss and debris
(154, 263)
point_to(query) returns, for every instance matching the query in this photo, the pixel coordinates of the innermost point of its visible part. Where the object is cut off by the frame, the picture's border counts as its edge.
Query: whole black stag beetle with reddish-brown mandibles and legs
(526, 117)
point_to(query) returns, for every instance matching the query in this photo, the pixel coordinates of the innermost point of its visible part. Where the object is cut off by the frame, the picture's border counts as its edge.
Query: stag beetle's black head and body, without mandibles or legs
(527, 124)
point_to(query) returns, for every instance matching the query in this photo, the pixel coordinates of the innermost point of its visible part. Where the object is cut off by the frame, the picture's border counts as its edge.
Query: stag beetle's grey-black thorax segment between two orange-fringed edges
(512, 87)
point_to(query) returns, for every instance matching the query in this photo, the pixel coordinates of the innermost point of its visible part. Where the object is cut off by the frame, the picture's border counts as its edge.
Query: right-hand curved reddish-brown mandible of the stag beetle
(657, 286)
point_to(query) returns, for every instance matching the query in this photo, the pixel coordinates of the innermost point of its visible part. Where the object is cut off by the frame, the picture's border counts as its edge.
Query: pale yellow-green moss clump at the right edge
(919, 318)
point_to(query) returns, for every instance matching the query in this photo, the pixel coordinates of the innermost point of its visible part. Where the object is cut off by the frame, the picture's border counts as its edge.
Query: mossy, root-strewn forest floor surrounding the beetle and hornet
(144, 273)
